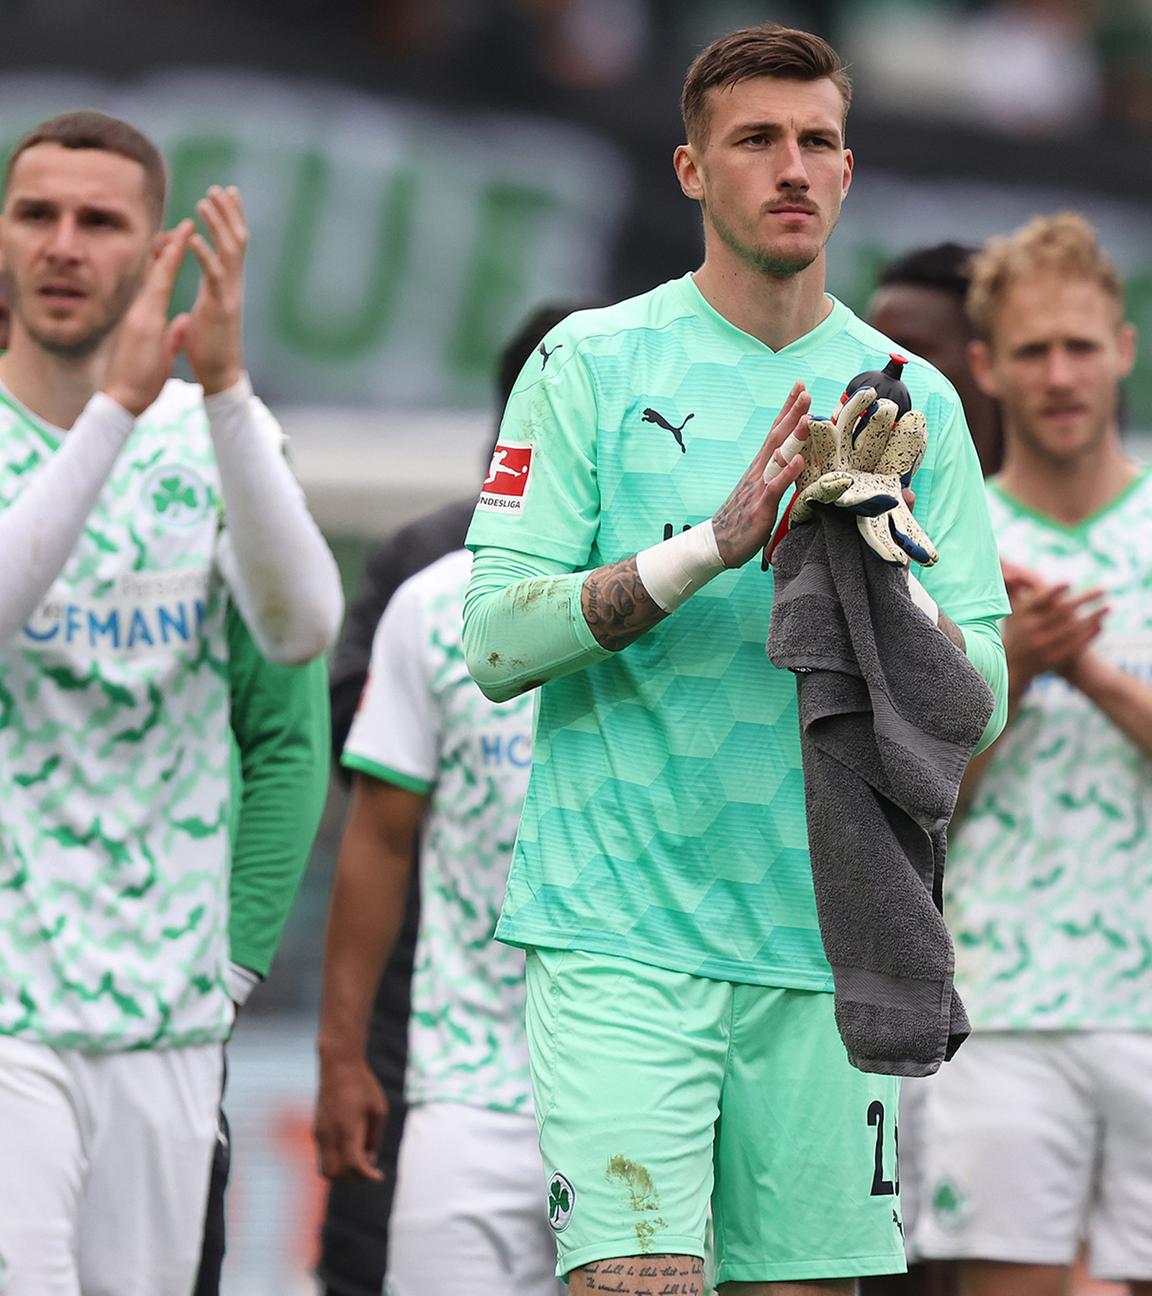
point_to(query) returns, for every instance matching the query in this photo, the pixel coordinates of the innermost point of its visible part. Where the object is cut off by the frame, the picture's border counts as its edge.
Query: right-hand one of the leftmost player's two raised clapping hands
(214, 344)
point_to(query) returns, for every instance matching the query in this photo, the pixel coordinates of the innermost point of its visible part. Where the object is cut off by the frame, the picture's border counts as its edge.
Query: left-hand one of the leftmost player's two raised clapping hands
(147, 343)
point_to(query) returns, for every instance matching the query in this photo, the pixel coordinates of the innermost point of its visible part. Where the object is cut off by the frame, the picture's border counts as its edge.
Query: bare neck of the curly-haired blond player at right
(1071, 491)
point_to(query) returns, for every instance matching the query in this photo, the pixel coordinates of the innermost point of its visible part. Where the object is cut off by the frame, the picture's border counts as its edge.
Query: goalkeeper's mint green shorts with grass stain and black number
(659, 1093)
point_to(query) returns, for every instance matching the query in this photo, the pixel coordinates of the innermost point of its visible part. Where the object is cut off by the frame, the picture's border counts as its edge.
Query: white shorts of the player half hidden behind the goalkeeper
(470, 1209)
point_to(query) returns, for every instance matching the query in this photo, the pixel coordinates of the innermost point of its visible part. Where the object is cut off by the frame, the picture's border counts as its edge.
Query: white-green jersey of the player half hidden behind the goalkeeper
(426, 726)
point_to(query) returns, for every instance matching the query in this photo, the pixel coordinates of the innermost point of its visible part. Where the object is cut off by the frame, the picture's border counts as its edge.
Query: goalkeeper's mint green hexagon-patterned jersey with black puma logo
(665, 816)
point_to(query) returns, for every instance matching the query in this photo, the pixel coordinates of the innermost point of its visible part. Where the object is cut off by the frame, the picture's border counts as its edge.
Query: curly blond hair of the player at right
(1066, 244)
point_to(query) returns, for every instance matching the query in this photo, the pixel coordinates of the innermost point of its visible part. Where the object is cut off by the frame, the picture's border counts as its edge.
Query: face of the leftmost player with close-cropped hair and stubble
(76, 238)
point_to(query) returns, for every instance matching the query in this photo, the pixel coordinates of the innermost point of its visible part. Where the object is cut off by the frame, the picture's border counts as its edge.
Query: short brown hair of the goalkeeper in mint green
(764, 51)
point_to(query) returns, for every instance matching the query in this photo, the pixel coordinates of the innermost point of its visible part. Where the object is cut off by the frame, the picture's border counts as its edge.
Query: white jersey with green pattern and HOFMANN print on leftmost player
(115, 755)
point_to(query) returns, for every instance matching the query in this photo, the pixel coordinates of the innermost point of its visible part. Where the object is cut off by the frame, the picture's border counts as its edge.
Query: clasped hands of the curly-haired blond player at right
(1049, 629)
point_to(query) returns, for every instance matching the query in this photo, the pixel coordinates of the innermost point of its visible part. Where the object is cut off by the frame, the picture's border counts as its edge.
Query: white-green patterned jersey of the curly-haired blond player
(1050, 873)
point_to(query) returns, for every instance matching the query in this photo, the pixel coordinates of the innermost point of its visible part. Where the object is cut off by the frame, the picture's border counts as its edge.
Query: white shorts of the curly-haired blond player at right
(1033, 1142)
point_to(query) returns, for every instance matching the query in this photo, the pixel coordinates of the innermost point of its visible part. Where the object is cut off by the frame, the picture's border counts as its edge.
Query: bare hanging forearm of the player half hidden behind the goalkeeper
(369, 901)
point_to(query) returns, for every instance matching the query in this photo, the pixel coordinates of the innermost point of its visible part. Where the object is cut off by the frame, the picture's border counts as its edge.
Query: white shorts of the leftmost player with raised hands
(104, 1168)
